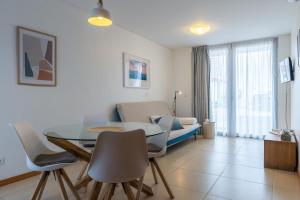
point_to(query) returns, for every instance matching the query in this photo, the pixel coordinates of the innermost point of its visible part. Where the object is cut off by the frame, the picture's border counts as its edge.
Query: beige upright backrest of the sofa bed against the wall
(141, 111)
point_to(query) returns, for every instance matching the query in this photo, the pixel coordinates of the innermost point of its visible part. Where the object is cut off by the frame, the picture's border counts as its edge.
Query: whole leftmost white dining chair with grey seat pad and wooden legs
(40, 158)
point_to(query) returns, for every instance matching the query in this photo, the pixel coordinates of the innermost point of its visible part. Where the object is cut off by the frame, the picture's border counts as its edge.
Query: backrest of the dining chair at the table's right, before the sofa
(161, 140)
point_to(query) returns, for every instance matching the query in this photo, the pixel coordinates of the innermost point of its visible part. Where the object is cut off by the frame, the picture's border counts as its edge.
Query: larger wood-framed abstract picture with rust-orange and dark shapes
(36, 58)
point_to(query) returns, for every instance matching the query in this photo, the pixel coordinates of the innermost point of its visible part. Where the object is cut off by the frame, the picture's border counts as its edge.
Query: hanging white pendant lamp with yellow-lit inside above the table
(100, 16)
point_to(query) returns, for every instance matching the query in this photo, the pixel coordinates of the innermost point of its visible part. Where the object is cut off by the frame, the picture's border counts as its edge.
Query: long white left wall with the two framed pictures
(89, 72)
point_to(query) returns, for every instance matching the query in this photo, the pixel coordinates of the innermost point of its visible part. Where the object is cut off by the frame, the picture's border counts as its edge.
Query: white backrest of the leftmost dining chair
(32, 144)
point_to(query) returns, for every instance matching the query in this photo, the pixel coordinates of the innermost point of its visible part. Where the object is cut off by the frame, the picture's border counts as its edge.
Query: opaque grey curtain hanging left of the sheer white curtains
(200, 70)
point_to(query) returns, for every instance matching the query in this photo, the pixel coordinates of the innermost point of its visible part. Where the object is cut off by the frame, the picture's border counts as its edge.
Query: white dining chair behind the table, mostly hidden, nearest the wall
(88, 121)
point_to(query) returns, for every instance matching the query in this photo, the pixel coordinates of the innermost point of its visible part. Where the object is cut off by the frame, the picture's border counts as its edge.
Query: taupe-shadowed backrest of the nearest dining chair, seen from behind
(119, 157)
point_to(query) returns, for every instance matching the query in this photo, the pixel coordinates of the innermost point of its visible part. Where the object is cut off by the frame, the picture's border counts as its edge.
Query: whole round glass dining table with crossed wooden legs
(63, 136)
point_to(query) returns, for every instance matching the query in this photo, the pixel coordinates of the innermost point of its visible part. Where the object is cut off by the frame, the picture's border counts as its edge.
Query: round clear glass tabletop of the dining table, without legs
(80, 132)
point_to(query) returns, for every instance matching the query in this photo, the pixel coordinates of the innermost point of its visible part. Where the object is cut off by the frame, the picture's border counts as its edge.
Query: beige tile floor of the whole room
(224, 168)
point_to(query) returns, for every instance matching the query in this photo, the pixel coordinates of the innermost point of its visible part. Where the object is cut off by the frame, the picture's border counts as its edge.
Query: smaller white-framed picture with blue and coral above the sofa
(136, 71)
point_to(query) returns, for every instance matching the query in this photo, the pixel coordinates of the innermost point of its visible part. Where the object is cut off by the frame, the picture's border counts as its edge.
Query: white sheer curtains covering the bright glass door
(243, 88)
